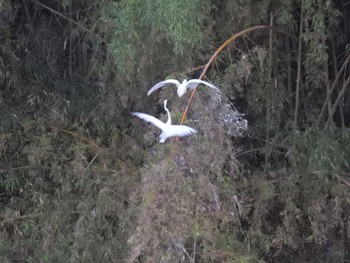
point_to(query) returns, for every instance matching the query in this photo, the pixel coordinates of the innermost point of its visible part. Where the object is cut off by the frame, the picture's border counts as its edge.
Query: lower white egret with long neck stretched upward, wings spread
(168, 130)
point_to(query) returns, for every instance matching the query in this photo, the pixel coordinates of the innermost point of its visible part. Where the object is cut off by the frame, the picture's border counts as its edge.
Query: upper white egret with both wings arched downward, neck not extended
(182, 87)
